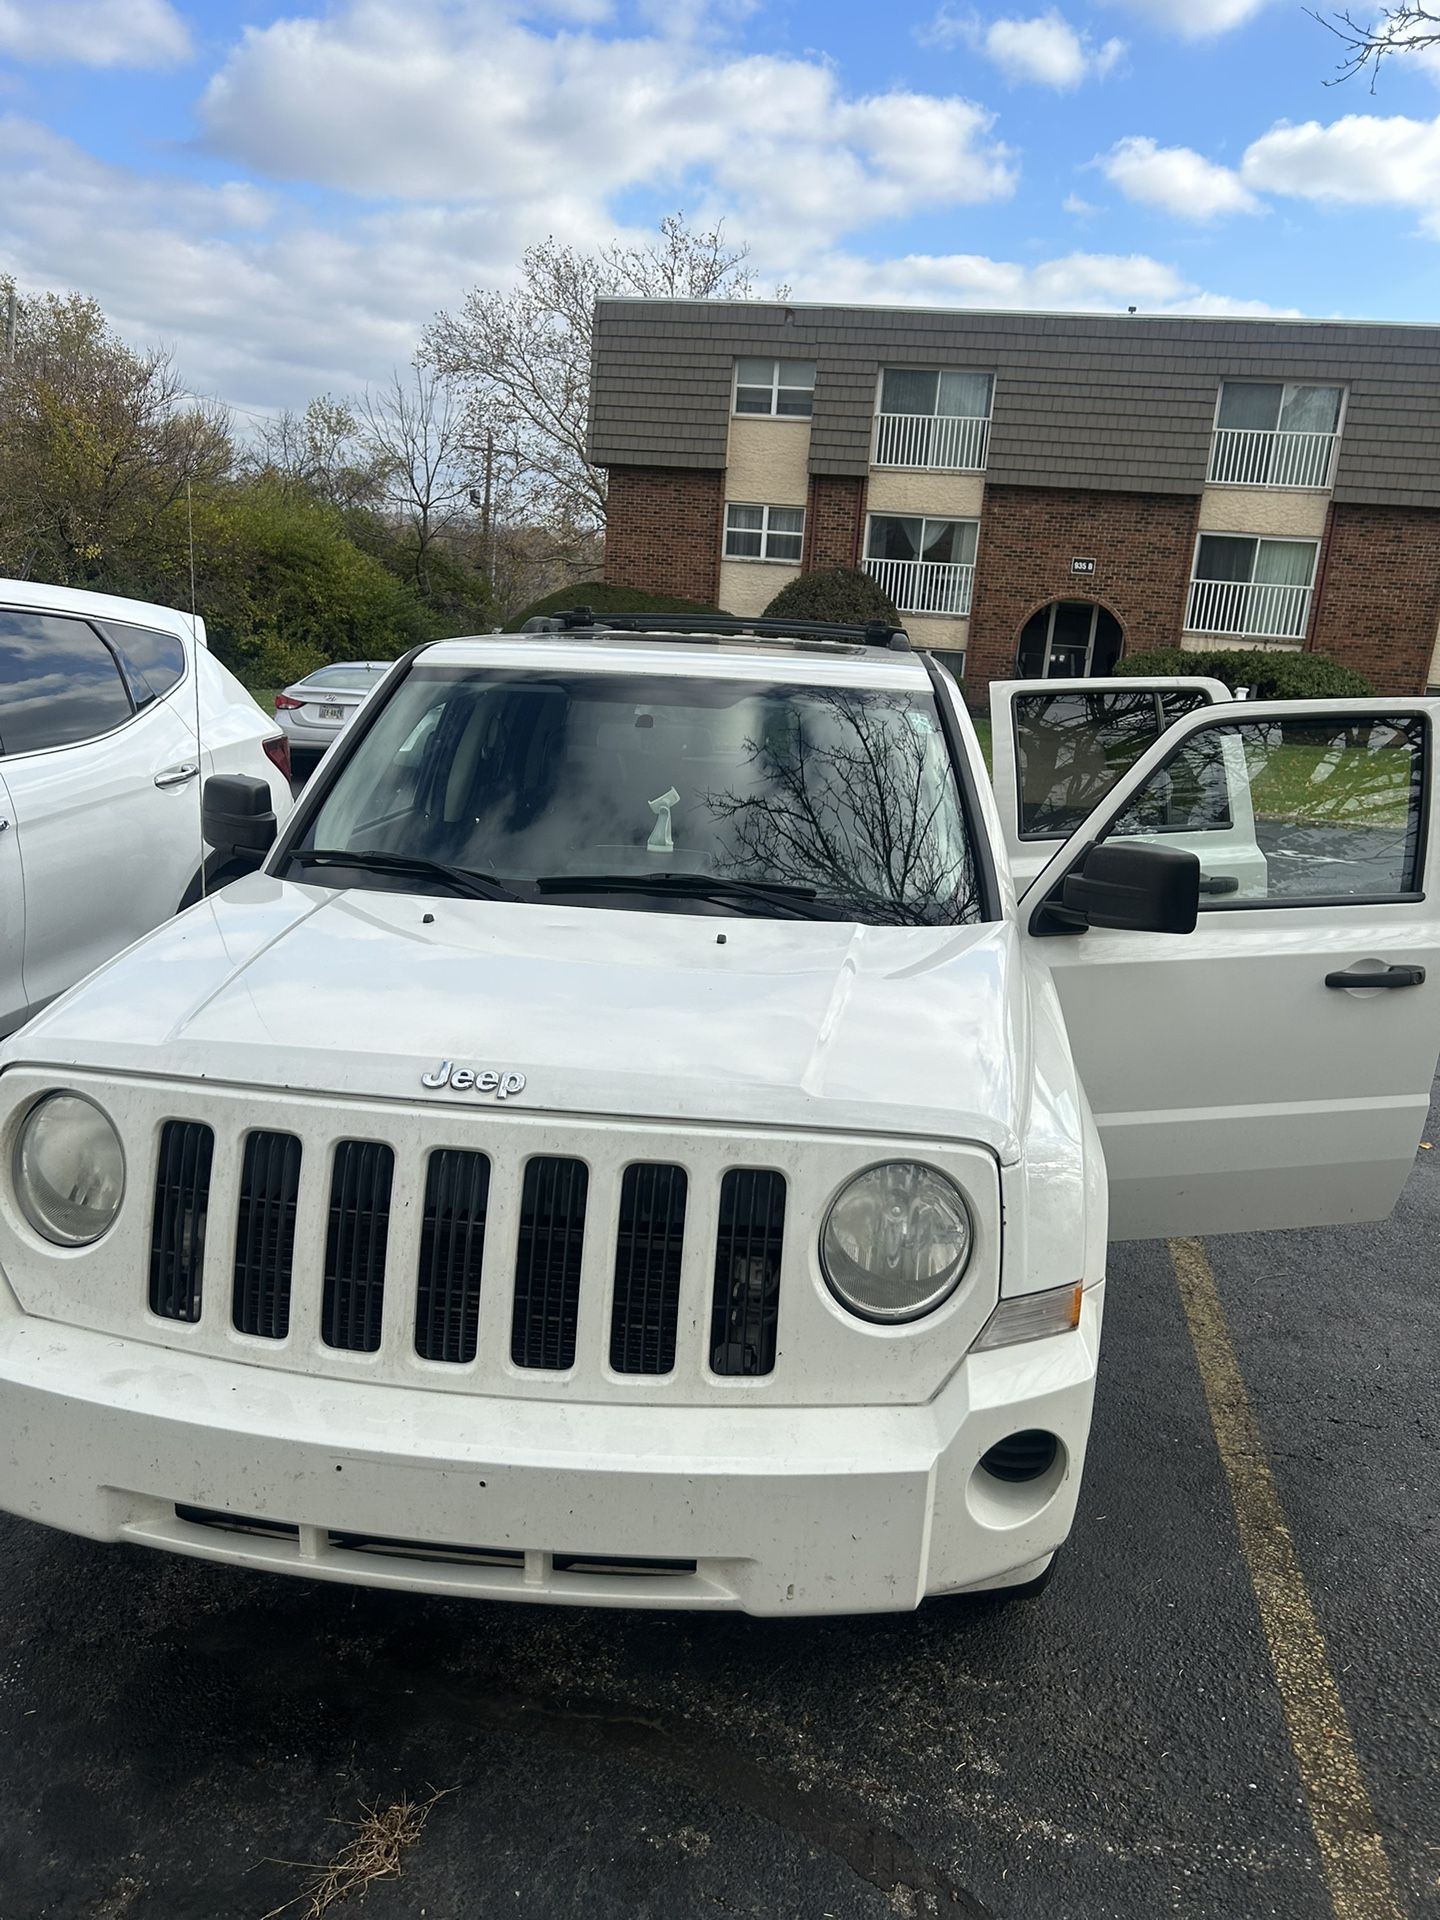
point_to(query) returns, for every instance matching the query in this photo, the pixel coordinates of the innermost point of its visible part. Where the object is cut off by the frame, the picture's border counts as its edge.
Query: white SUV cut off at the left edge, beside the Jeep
(101, 779)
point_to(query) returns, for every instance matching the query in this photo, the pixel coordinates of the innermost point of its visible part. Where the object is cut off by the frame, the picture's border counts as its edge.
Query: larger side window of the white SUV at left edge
(59, 683)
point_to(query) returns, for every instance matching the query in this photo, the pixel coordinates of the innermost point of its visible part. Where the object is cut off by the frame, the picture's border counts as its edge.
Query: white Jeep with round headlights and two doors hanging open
(635, 1143)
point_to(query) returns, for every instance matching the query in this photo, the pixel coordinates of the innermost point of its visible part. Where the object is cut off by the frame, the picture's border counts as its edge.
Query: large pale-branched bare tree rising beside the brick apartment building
(521, 360)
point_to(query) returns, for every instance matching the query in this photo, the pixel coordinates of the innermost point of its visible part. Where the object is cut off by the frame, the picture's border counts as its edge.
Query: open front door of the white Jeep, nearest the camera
(1274, 1067)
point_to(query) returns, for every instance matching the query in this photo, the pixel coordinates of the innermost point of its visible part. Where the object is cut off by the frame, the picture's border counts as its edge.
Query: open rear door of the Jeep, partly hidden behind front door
(1059, 748)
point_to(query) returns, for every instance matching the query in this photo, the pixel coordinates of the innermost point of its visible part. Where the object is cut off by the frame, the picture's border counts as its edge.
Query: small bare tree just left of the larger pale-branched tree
(414, 433)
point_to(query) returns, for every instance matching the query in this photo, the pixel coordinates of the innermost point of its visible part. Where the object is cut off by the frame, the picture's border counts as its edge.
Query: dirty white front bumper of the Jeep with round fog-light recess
(763, 1510)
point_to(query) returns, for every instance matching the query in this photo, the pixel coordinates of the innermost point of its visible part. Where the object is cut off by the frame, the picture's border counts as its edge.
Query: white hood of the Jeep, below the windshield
(675, 1017)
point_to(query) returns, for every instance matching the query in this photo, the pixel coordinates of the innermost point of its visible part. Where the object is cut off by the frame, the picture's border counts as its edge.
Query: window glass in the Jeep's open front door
(1291, 811)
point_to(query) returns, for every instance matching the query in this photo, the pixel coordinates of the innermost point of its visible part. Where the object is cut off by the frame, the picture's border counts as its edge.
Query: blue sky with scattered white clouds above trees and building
(285, 193)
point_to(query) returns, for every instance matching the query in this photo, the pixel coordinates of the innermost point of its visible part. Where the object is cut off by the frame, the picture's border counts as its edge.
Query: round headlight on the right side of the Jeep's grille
(896, 1241)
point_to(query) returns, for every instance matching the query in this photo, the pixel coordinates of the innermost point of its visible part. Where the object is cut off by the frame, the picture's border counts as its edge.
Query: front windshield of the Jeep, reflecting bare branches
(537, 777)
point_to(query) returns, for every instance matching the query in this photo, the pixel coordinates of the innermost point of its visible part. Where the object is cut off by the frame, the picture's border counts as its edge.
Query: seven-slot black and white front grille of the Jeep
(550, 1211)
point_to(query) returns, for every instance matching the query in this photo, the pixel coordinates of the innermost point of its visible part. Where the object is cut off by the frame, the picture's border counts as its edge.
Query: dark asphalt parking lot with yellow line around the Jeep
(172, 1733)
